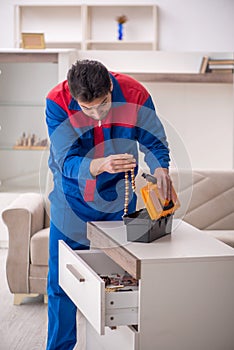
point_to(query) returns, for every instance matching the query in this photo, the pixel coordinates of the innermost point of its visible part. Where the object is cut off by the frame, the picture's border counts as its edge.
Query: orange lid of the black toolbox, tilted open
(156, 205)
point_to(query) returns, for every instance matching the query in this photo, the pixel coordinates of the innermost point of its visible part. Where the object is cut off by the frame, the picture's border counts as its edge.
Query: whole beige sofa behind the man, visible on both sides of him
(207, 202)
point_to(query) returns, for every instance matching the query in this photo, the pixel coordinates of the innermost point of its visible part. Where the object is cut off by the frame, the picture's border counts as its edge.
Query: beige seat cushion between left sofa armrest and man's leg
(39, 247)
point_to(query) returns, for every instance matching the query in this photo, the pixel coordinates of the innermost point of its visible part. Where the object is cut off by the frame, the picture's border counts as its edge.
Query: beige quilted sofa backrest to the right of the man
(211, 206)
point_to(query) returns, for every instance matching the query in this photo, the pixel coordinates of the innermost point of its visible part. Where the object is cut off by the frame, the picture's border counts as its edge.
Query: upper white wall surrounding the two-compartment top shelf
(184, 25)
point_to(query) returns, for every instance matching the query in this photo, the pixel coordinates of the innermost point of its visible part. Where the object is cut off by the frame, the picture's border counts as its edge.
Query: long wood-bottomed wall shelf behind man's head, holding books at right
(160, 67)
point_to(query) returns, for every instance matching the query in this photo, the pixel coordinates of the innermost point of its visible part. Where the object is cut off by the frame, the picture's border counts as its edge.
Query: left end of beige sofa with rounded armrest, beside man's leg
(27, 261)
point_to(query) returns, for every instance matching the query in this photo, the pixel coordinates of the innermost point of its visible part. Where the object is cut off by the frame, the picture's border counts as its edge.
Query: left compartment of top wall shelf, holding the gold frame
(61, 24)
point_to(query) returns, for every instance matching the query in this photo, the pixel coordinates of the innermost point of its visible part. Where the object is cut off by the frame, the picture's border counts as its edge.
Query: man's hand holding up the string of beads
(115, 163)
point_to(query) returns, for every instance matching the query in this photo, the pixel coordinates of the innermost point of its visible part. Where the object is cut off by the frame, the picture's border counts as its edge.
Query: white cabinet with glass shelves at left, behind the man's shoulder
(22, 109)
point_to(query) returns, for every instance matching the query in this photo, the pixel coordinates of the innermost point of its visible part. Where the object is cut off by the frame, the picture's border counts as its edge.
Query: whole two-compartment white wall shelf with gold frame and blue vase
(89, 27)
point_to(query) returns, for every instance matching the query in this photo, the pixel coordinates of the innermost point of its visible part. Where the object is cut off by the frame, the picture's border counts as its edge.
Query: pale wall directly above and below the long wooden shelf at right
(199, 118)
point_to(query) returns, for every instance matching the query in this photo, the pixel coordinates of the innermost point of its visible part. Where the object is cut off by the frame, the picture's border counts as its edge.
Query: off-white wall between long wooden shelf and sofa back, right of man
(201, 115)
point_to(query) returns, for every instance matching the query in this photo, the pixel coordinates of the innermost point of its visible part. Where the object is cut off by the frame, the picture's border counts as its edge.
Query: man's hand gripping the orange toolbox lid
(163, 182)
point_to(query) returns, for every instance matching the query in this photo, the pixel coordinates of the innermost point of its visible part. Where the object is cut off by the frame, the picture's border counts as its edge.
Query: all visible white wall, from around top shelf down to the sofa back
(202, 114)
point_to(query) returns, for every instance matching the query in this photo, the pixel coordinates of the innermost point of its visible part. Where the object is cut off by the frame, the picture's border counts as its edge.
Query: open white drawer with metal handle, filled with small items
(79, 277)
